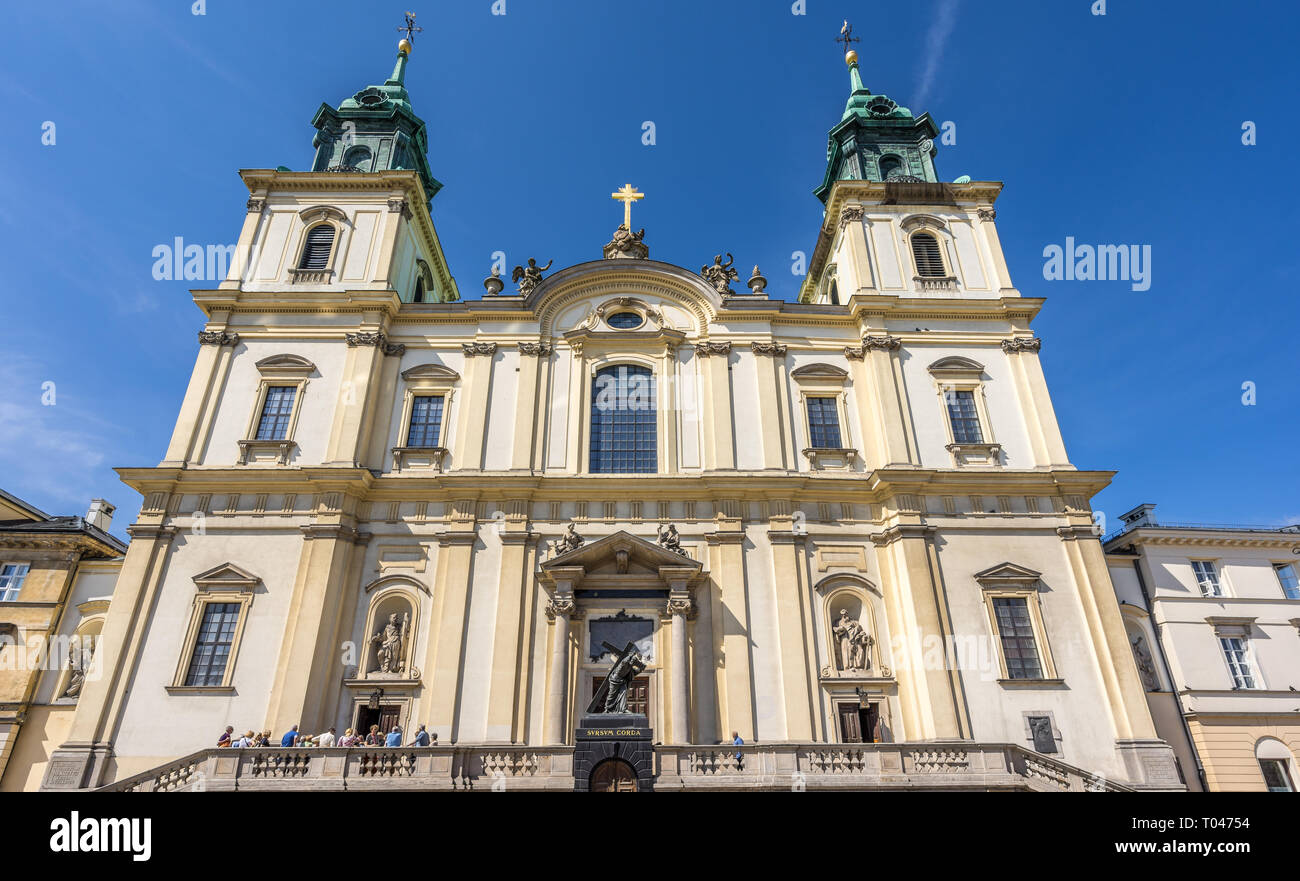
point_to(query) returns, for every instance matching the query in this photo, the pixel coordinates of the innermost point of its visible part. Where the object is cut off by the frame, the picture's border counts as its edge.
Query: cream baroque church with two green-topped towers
(844, 530)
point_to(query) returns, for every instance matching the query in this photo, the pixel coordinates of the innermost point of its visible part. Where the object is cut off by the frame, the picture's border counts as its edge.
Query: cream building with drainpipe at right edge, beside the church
(1214, 618)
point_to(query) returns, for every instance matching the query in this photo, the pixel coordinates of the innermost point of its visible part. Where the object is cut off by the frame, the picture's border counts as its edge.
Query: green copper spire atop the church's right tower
(877, 140)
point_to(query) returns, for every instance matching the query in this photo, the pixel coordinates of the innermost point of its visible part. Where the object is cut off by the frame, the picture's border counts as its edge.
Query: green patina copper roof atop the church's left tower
(375, 131)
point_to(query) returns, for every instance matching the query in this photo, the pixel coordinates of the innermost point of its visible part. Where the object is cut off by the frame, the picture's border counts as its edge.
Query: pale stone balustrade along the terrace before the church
(933, 766)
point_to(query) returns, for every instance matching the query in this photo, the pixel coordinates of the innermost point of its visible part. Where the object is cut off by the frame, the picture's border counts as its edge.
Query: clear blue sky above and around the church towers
(1124, 129)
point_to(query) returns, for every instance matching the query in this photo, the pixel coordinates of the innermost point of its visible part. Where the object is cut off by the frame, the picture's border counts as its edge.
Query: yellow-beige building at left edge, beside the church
(57, 580)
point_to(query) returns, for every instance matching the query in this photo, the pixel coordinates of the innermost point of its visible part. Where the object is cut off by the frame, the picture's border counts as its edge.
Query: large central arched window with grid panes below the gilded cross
(625, 439)
